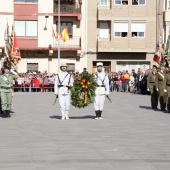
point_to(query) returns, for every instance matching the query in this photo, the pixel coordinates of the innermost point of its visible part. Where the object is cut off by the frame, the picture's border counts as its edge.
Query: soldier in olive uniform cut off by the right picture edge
(167, 88)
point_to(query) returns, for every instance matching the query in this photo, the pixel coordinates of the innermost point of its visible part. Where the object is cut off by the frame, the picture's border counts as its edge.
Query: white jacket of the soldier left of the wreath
(66, 80)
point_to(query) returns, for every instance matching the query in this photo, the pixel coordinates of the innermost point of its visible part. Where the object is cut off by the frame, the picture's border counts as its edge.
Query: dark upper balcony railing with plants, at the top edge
(66, 8)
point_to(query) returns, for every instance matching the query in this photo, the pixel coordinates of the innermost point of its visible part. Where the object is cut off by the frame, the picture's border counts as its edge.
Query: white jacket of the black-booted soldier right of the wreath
(102, 79)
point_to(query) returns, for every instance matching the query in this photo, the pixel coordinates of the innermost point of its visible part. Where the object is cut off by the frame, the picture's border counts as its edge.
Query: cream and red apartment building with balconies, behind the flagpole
(33, 21)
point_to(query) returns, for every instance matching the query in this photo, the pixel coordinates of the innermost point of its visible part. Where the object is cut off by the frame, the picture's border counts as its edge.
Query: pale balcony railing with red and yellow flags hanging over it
(74, 42)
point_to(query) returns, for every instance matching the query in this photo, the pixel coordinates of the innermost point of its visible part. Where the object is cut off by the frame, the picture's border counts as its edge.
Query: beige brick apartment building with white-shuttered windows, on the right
(121, 33)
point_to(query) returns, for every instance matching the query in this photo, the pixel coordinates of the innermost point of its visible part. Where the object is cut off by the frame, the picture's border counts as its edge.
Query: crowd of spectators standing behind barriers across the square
(122, 81)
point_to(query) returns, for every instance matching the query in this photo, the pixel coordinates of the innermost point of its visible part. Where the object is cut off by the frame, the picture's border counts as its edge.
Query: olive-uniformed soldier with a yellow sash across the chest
(160, 76)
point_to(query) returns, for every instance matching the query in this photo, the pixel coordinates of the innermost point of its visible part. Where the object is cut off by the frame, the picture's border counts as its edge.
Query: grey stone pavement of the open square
(130, 137)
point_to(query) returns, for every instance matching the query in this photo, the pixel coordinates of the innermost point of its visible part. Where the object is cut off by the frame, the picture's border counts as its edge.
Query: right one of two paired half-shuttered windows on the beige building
(138, 29)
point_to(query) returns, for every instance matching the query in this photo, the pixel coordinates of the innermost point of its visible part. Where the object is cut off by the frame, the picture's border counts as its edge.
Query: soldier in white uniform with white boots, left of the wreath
(63, 84)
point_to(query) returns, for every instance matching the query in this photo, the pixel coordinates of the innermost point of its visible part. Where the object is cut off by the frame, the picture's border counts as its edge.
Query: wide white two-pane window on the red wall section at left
(26, 28)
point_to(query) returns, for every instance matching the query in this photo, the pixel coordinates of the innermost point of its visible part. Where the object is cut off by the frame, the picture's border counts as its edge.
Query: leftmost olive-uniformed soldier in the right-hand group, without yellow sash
(152, 88)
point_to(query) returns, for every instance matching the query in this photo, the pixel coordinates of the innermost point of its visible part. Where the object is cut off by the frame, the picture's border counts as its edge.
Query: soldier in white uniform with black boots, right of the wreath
(102, 90)
